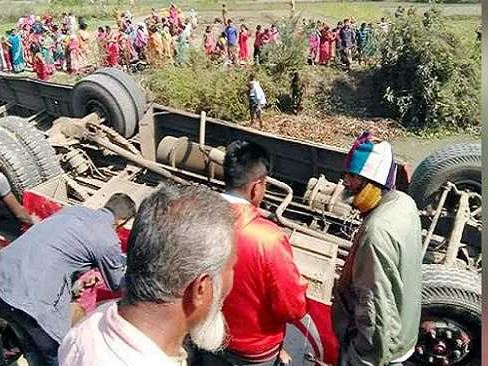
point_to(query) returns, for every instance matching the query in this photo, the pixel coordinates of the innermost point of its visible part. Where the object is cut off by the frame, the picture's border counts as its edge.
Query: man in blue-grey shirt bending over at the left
(38, 269)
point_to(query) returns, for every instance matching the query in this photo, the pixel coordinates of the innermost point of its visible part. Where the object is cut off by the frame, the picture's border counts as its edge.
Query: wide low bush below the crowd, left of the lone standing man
(202, 86)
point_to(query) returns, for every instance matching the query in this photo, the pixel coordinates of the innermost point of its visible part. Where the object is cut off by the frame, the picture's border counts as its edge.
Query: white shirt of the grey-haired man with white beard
(104, 338)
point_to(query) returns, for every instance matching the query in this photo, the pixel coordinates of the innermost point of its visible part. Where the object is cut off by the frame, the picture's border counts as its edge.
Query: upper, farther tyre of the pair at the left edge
(35, 143)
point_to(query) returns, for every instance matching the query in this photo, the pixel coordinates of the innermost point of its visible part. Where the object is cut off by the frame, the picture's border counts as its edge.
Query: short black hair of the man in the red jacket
(245, 162)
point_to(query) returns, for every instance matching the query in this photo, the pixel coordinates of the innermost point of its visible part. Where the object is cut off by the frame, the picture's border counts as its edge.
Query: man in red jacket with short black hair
(268, 291)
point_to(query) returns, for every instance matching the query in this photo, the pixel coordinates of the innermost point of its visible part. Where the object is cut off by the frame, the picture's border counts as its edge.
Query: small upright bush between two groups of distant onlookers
(289, 54)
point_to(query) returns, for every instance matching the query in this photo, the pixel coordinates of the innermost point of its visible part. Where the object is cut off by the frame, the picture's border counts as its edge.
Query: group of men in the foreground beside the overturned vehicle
(228, 279)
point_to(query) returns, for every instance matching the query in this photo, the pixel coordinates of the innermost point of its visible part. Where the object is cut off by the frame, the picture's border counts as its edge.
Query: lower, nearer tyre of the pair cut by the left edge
(17, 165)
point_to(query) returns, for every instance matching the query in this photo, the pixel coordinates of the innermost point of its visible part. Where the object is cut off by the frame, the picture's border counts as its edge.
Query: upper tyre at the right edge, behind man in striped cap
(460, 164)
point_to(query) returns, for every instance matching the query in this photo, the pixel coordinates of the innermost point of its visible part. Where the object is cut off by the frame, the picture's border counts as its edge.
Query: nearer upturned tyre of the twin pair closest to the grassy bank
(102, 94)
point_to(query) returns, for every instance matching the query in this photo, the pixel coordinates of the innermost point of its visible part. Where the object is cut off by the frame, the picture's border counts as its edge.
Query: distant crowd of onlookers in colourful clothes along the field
(47, 45)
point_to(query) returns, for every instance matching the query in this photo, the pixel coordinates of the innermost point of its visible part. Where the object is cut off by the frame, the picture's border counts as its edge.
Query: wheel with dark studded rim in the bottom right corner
(450, 329)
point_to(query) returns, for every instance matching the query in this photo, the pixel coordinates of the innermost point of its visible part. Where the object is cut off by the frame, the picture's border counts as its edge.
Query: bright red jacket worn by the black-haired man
(267, 295)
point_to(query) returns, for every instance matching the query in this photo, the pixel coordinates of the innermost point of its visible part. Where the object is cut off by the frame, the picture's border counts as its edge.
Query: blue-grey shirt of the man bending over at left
(36, 269)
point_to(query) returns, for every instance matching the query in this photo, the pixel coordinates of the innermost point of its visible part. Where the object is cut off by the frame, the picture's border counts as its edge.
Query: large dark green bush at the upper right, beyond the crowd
(429, 77)
